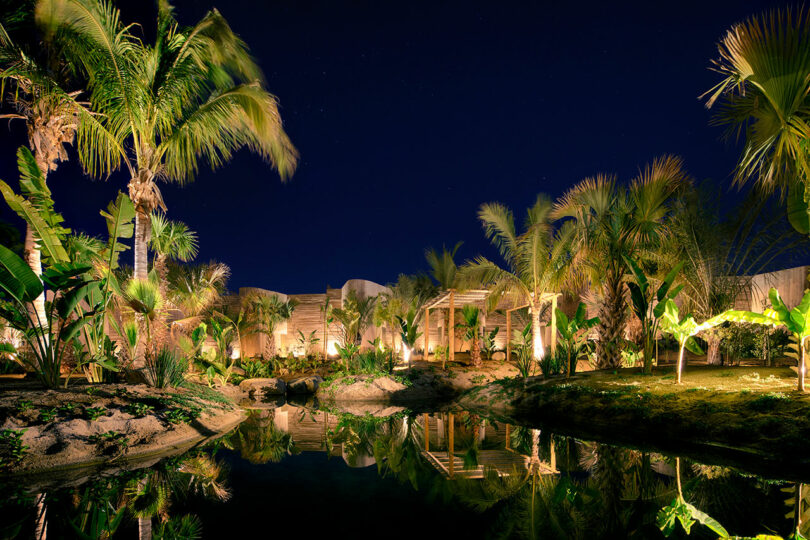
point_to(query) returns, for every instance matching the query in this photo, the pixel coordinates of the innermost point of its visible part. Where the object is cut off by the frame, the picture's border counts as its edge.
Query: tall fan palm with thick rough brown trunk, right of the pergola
(608, 222)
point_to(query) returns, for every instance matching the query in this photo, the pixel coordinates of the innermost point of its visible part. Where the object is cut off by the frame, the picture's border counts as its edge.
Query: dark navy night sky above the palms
(409, 115)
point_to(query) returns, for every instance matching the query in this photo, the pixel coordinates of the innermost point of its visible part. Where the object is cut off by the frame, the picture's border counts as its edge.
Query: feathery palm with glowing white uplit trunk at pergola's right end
(535, 260)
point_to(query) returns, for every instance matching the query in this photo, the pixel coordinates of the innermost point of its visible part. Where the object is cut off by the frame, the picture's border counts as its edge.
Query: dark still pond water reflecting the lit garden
(301, 473)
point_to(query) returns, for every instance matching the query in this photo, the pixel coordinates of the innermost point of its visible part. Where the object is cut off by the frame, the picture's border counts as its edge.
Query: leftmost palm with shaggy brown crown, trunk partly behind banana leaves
(54, 118)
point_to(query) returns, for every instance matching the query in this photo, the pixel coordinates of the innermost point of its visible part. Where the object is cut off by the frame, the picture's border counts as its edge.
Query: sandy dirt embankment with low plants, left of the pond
(96, 425)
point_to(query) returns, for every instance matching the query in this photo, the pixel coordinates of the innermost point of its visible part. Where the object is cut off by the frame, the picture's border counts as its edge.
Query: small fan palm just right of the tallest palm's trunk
(170, 240)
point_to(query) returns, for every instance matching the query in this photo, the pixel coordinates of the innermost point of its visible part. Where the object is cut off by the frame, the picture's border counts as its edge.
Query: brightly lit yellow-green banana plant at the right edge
(796, 321)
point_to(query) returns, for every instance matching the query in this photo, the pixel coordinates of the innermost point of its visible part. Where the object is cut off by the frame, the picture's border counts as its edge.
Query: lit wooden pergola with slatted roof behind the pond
(452, 299)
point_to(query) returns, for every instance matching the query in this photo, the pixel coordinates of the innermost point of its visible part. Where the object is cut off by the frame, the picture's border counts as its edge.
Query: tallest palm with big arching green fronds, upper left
(195, 92)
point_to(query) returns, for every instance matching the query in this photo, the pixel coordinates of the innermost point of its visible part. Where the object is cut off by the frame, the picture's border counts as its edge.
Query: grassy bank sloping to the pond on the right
(734, 414)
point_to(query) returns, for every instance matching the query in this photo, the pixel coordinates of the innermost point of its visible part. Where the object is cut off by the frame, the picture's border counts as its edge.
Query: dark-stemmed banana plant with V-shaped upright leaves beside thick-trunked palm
(649, 307)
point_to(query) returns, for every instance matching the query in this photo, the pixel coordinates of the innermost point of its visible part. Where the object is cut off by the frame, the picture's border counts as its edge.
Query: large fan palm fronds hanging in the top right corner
(763, 92)
